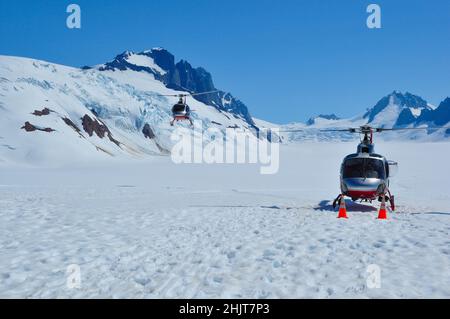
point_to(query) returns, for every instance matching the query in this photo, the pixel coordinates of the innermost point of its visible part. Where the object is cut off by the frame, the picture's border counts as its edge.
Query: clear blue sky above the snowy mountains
(287, 59)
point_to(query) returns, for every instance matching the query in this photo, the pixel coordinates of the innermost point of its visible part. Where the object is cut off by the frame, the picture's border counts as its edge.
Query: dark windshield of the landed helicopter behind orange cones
(364, 168)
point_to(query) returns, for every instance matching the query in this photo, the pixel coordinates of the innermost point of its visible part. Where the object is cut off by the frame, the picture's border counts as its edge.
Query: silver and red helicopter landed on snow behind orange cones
(365, 174)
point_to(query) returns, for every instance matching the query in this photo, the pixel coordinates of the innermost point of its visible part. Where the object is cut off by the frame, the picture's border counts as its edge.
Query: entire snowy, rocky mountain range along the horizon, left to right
(50, 112)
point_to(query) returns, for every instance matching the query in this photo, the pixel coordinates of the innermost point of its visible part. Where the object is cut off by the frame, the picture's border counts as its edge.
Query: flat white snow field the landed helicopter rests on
(153, 229)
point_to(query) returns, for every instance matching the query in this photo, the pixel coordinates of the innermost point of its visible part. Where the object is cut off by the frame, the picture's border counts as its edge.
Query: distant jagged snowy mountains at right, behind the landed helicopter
(395, 110)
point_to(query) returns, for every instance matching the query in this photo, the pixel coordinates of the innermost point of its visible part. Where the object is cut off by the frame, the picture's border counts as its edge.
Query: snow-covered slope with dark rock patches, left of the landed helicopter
(95, 113)
